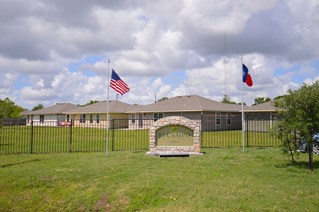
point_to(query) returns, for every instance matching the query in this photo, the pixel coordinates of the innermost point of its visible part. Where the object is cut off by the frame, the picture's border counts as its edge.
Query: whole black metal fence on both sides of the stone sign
(50, 137)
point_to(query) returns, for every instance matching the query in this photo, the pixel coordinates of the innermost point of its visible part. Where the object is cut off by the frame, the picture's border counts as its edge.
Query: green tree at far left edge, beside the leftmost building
(8, 109)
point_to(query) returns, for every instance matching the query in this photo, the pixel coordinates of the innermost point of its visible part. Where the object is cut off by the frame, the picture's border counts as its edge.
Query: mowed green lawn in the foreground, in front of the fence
(223, 179)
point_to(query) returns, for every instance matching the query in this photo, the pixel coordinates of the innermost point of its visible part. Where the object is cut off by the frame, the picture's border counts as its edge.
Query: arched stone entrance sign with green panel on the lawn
(174, 135)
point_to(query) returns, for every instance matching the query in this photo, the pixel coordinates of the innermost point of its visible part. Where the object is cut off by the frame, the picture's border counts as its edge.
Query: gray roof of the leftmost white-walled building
(59, 108)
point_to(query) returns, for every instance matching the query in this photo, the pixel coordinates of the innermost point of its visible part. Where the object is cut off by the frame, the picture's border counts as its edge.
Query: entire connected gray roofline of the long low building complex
(191, 103)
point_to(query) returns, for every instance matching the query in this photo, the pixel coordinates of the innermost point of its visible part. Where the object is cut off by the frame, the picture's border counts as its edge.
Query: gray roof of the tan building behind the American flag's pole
(101, 107)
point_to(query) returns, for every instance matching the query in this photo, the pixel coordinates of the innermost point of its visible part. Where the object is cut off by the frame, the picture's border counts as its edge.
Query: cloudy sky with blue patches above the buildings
(55, 51)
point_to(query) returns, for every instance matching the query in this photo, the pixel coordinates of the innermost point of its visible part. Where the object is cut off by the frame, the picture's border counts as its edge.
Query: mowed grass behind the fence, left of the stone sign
(22, 139)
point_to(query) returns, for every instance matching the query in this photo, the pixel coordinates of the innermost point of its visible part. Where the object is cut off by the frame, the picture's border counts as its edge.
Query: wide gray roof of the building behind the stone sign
(189, 103)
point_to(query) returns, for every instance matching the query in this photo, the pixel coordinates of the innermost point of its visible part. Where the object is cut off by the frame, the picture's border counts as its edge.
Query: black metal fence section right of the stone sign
(227, 132)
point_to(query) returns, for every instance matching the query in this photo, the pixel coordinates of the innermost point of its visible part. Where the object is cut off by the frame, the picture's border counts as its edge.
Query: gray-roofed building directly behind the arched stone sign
(210, 114)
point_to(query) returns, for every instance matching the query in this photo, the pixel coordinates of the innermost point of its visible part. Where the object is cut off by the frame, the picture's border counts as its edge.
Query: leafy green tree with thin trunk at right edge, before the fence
(300, 117)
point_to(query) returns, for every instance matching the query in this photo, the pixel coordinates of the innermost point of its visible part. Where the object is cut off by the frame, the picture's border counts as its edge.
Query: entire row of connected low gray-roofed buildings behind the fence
(209, 114)
